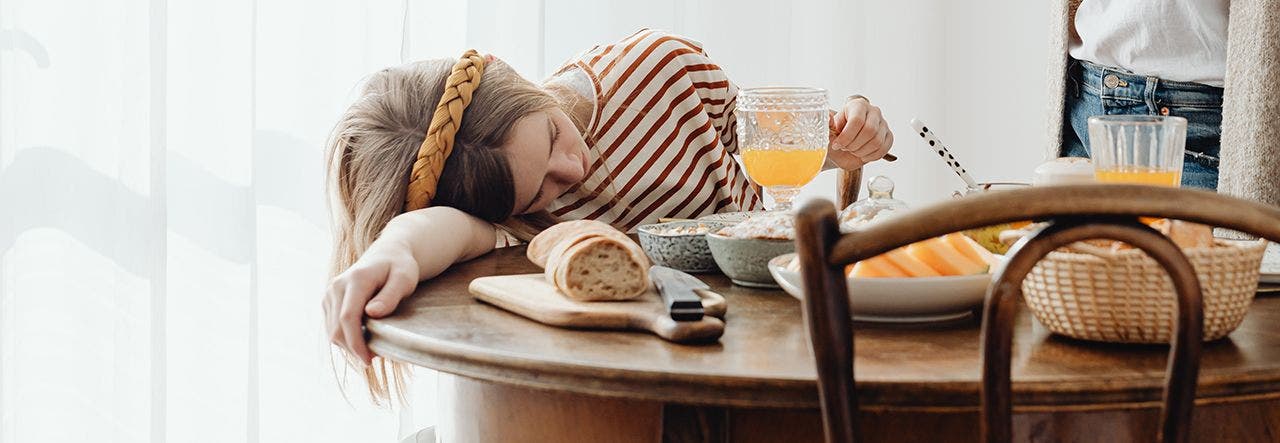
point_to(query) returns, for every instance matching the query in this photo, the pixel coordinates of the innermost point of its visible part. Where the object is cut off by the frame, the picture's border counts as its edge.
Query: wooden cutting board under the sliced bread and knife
(531, 296)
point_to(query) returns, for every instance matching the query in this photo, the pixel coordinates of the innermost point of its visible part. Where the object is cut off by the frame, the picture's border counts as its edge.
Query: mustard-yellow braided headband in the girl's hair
(464, 80)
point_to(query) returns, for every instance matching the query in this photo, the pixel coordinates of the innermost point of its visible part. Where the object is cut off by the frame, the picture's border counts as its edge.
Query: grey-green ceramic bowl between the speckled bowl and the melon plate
(747, 261)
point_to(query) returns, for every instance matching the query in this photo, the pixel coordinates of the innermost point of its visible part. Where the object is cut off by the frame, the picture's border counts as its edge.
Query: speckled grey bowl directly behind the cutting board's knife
(684, 252)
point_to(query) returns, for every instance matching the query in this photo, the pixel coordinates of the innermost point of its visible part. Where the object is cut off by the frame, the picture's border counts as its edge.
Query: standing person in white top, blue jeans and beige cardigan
(1213, 62)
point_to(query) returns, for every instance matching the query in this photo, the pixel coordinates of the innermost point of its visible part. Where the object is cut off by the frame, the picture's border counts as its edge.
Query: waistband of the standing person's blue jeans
(1118, 84)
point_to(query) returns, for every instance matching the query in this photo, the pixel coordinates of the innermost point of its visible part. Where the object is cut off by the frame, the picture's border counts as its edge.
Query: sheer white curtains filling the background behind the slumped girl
(163, 234)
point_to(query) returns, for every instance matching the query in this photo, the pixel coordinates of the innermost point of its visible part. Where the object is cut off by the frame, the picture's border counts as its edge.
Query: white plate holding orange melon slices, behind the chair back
(899, 300)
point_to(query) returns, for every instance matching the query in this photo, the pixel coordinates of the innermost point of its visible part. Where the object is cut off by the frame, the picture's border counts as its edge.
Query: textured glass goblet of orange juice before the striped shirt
(783, 136)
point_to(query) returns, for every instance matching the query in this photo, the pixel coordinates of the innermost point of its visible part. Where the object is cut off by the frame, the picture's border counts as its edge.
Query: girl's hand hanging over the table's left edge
(374, 286)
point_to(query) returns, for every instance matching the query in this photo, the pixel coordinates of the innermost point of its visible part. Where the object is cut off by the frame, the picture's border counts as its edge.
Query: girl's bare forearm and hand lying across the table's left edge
(413, 248)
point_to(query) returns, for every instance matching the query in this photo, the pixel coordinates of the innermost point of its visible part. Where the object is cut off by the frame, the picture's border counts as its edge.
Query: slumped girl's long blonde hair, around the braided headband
(373, 148)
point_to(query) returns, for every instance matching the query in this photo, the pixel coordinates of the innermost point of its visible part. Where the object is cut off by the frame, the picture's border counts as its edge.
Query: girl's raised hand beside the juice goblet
(861, 135)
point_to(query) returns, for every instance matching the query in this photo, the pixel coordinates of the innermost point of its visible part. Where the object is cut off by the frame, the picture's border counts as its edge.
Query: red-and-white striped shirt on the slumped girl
(662, 136)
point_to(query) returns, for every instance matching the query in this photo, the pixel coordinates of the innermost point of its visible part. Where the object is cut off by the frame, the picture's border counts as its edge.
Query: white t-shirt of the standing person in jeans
(1176, 40)
